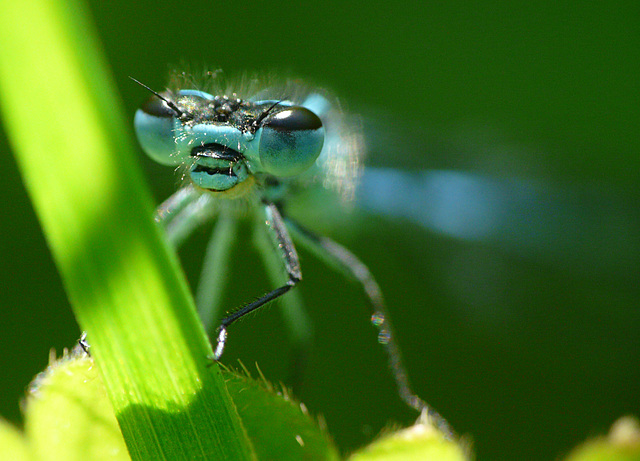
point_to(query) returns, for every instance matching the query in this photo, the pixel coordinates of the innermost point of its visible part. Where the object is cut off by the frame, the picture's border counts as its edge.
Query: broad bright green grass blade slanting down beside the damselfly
(72, 144)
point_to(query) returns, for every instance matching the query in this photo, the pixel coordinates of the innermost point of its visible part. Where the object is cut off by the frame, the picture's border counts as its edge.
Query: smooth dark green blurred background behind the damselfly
(528, 354)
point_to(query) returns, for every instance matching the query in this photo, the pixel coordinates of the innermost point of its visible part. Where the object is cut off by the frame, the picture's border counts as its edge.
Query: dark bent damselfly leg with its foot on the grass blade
(282, 242)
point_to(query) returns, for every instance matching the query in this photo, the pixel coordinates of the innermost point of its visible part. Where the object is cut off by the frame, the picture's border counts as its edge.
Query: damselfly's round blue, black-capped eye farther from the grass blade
(291, 141)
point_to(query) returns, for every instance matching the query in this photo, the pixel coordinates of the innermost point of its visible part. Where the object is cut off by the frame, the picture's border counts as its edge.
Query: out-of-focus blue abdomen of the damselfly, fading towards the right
(574, 227)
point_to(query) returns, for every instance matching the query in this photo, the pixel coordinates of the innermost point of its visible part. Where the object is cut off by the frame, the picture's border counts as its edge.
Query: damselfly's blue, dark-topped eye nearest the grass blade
(155, 124)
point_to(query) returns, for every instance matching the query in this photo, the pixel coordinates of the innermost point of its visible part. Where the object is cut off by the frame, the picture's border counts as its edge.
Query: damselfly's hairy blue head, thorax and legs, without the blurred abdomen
(245, 151)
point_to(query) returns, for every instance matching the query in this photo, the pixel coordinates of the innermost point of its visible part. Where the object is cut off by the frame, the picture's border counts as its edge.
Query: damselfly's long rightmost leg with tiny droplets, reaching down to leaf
(341, 259)
